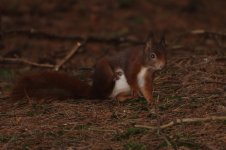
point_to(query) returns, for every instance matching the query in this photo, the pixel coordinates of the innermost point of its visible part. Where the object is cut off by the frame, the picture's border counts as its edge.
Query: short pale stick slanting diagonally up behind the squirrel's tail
(68, 56)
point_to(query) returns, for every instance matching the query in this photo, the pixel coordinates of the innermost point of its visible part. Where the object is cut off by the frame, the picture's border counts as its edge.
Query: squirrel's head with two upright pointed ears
(154, 53)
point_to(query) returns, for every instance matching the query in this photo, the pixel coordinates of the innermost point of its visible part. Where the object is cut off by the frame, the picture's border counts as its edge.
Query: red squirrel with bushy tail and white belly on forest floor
(122, 76)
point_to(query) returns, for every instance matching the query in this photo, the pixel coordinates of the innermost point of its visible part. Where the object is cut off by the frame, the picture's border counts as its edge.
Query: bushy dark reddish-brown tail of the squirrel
(50, 85)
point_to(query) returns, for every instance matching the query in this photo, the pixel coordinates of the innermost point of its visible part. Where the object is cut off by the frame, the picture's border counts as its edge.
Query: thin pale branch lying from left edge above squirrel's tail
(25, 61)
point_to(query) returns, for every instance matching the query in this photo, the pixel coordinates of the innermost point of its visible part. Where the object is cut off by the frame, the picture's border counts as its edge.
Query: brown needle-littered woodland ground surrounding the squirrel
(192, 85)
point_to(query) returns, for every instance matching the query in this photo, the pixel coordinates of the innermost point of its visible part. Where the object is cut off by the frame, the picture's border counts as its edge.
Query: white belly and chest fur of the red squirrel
(121, 85)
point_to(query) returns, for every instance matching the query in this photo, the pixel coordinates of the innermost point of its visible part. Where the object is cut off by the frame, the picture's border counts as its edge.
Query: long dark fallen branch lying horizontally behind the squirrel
(31, 33)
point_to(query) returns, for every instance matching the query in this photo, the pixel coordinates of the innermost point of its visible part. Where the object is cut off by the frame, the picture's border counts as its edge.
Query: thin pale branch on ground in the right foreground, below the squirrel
(184, 120)
